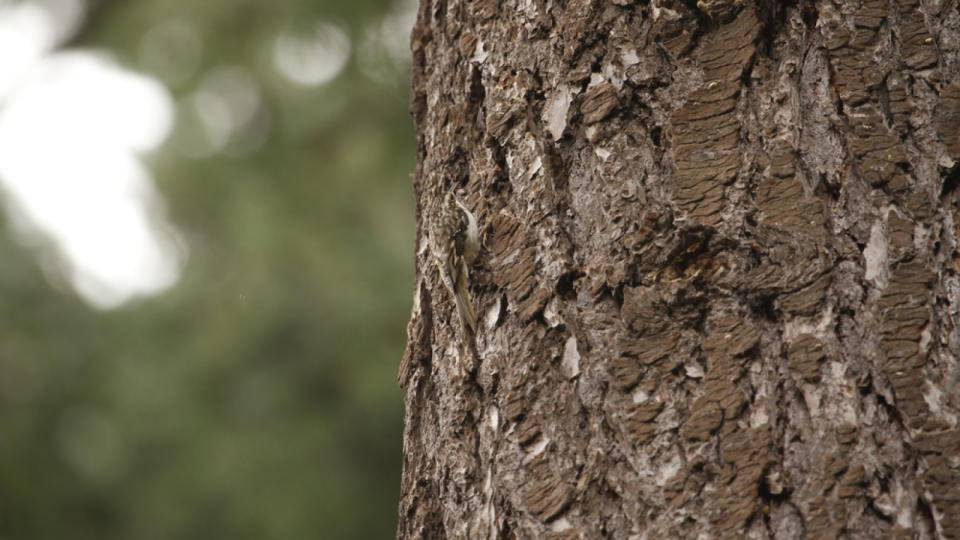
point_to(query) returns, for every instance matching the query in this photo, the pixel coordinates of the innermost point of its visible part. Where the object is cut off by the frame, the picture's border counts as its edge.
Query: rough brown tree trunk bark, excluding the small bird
(719, 291)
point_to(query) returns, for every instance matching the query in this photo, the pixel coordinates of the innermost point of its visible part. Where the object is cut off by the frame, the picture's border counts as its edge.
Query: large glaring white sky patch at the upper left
(70, 130)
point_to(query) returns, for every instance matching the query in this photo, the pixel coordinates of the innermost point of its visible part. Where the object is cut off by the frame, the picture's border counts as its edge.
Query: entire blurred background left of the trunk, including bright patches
(205, 267)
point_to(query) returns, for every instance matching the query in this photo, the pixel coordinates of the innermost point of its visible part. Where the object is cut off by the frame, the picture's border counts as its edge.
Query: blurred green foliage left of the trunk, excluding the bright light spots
(257, 398)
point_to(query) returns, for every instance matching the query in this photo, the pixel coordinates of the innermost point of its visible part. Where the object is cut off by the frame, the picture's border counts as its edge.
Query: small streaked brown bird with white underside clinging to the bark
(454, 244)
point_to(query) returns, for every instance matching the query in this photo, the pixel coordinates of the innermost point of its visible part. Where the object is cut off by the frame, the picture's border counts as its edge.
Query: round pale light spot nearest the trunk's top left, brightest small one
(312, 59)
